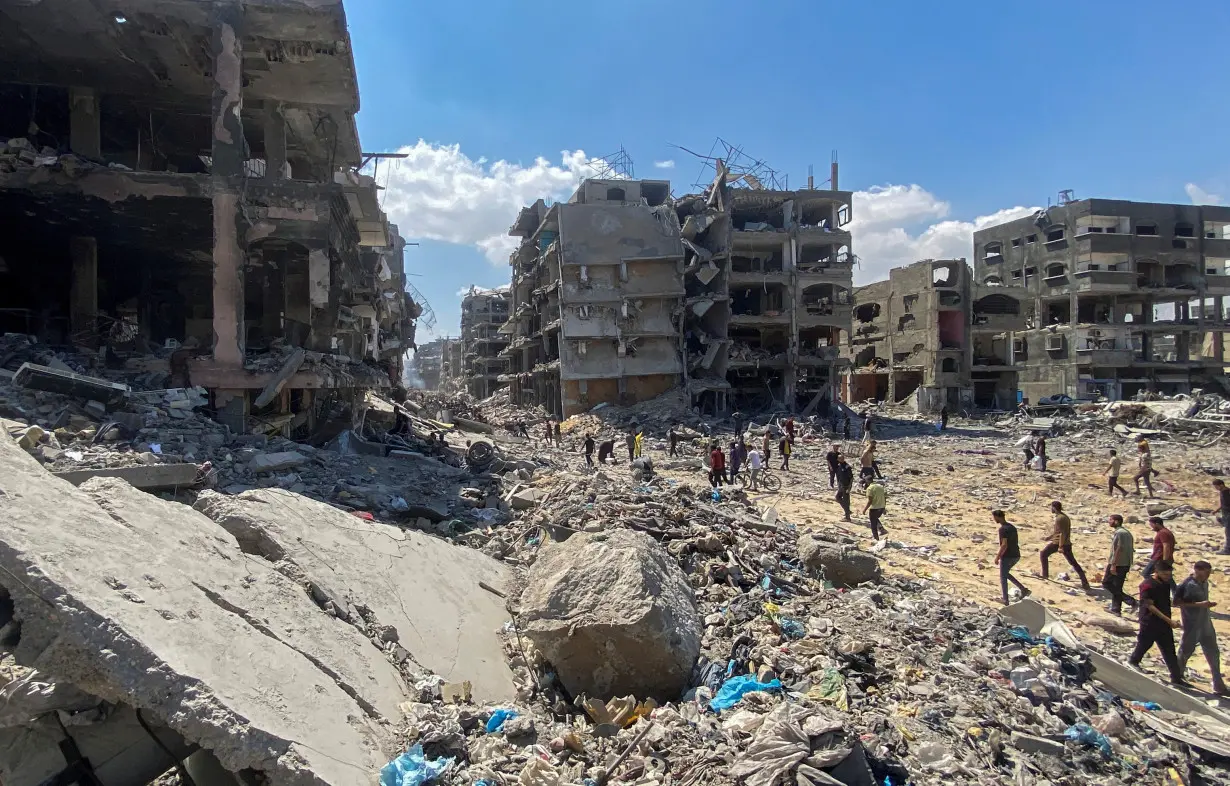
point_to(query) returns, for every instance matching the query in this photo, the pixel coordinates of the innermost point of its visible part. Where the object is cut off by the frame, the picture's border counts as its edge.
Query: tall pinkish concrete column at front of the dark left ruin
(228, 167)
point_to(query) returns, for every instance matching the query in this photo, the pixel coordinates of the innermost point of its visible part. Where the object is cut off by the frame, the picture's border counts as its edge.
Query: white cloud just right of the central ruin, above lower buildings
(891, 229)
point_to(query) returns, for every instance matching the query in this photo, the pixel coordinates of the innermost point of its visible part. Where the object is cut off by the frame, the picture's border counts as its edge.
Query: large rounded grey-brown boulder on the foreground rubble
(614, 614)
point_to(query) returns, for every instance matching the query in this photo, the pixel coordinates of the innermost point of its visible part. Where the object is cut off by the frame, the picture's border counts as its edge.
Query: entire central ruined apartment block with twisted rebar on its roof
(739, 296)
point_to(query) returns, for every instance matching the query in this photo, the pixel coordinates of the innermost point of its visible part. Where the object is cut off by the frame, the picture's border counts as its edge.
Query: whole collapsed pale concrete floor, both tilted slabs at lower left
(281, 638)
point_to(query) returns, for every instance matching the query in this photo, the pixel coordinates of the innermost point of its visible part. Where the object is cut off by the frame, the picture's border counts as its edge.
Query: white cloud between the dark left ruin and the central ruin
(440, 194)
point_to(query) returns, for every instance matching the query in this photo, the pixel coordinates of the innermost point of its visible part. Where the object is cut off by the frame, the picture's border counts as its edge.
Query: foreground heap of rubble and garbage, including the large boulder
(671, 635)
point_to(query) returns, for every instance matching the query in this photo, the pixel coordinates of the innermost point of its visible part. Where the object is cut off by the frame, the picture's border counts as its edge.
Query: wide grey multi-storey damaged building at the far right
(1119, 298)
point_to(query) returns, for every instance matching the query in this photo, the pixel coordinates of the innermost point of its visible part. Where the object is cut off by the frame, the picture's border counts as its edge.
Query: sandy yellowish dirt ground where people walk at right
(943, 488)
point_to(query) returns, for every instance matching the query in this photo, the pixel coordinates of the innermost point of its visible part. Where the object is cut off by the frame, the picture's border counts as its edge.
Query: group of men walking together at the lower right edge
(1158, 593)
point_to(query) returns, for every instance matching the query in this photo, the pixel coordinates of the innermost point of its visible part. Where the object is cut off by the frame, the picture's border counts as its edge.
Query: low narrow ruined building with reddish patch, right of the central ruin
(911, 336)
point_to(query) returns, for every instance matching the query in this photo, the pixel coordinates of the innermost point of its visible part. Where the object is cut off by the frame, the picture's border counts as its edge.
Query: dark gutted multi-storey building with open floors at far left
(186, 175)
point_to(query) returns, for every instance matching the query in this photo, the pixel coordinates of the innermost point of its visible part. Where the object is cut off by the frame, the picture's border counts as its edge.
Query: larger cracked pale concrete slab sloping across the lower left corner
(148, 603)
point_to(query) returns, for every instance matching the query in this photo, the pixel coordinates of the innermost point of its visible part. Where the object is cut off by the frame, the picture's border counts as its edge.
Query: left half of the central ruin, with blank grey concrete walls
(596, 290)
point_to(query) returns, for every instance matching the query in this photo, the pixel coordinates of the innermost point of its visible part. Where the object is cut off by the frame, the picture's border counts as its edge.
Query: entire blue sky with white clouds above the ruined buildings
(945, 116)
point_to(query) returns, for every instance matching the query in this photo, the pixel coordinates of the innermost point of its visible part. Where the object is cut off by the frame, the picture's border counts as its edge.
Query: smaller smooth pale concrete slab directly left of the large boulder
(426, 589)
